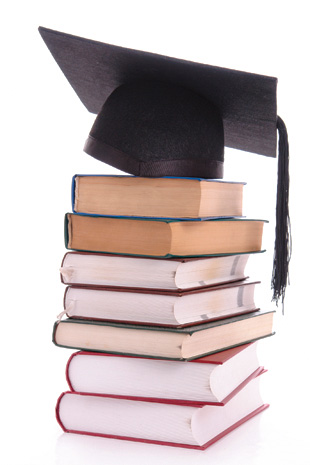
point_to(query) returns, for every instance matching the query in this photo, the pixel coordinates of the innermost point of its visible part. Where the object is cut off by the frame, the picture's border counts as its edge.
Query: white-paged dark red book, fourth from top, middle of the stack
(160, 307)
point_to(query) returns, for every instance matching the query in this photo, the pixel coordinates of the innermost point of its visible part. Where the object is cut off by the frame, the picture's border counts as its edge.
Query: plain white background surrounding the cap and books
(44, 127)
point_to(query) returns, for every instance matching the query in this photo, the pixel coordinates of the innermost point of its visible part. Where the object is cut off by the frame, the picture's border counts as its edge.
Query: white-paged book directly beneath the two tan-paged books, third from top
(98, 269)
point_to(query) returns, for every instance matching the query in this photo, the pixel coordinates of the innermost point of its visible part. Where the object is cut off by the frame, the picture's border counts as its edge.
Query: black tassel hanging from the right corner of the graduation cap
(283, 242)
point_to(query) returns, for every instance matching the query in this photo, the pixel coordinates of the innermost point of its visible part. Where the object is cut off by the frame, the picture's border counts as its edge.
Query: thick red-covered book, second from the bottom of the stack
(213, 379)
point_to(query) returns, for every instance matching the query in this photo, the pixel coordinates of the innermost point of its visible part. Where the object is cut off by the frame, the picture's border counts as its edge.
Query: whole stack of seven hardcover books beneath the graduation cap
(159, 305)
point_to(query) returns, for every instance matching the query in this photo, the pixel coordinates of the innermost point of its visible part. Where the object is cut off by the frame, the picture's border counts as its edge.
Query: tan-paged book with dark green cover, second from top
(162, 238)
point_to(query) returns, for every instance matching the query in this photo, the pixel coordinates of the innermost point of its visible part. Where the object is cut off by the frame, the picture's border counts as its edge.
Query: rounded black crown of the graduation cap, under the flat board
(153, 128)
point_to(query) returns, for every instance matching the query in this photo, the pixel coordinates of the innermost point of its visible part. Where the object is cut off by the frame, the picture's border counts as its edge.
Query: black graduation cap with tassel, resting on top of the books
(162, 116)
